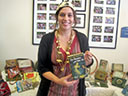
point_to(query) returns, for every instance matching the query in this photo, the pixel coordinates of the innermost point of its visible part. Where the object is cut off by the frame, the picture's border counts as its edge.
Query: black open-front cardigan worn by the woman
(45, 64)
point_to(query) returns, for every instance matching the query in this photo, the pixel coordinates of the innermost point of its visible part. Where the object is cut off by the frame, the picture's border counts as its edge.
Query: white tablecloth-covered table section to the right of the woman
(102, 91)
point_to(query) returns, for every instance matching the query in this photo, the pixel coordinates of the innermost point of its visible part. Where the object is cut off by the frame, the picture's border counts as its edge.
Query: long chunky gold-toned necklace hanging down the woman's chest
(59, 53)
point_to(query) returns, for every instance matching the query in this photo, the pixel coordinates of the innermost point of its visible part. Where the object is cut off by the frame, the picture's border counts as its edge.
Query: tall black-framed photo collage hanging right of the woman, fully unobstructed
(103, 23)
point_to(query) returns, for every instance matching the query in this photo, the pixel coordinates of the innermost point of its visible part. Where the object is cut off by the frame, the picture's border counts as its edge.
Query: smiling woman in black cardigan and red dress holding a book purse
(53, 66)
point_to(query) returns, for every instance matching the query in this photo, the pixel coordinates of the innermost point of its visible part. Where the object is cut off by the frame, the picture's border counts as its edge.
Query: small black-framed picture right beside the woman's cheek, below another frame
(80, 21)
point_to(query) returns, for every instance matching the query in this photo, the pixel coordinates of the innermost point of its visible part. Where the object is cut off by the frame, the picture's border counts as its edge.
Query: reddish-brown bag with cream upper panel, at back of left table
(25, 65)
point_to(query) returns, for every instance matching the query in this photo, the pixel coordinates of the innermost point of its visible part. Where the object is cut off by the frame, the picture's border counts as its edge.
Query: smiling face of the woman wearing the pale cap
(66, 18)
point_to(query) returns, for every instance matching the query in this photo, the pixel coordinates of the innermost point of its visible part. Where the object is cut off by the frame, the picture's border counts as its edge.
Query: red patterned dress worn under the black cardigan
(58, 90)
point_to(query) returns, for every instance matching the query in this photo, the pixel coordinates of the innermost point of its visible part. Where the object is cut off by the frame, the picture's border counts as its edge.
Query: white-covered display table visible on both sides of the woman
(91, 91)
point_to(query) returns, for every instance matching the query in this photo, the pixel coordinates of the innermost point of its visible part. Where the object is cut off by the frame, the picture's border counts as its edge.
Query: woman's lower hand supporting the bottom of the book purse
(64, 81)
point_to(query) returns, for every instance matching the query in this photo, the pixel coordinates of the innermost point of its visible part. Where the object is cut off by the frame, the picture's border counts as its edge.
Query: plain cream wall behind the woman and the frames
(16, 33)
